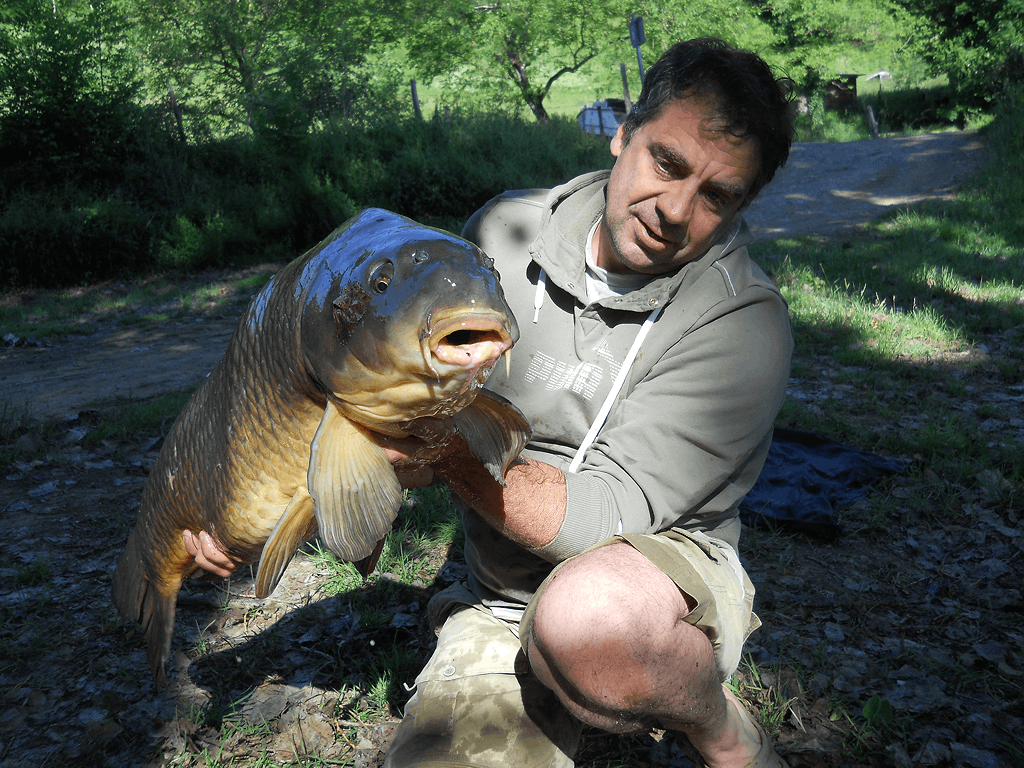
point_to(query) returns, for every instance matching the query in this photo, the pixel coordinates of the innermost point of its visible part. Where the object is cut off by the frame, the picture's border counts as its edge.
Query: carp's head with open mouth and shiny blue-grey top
(402, 321)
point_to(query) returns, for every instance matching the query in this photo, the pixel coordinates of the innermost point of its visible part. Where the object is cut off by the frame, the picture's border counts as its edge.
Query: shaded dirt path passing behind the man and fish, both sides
(824, 190)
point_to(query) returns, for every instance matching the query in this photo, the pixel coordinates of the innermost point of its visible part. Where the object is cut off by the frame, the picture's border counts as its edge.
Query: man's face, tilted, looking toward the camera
(674, 190)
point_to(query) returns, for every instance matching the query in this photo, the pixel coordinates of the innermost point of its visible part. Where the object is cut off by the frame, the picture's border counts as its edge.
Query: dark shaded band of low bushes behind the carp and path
(247, 200)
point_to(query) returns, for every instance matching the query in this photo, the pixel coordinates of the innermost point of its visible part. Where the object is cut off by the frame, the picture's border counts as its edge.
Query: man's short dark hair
(748, 98)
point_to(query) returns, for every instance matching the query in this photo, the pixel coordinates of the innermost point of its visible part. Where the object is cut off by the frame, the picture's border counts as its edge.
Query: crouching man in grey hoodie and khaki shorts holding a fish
(605, 585)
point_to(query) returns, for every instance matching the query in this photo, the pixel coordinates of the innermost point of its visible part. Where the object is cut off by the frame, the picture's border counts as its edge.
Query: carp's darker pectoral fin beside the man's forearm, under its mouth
(495, 431)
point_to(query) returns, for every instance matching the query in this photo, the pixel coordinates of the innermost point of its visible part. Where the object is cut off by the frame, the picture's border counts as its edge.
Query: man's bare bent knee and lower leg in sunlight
(609, 637)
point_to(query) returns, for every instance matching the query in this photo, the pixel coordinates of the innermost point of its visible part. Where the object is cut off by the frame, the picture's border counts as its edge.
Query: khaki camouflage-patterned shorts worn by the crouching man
(478, 705)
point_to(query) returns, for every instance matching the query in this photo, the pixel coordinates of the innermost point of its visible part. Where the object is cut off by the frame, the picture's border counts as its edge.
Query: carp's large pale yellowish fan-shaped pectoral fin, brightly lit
(356, 493)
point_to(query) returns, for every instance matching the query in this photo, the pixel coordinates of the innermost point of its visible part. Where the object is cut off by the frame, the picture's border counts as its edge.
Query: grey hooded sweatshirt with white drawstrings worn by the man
(689, 433)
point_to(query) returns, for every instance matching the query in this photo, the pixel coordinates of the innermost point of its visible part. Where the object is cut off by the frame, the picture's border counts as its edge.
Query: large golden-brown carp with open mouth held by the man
(388, 328)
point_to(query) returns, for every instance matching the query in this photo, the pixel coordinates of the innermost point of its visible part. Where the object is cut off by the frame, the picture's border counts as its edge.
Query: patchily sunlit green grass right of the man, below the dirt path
(909, 307)
